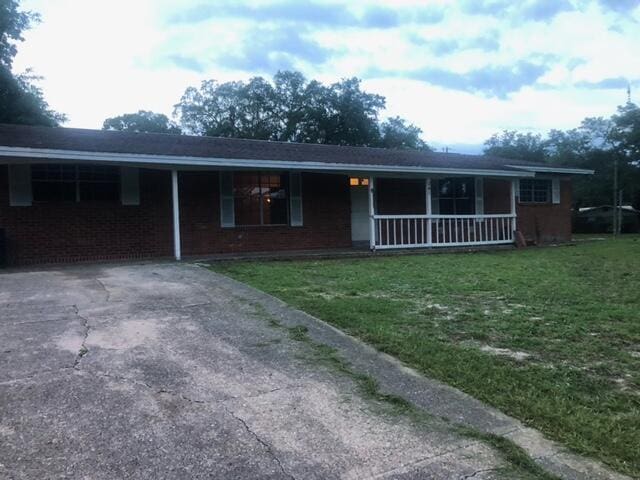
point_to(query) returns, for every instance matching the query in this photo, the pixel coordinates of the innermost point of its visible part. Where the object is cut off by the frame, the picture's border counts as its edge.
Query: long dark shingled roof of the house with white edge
(99, 145)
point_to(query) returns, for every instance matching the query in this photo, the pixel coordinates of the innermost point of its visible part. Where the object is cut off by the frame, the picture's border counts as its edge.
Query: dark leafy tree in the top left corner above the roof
(21, 100)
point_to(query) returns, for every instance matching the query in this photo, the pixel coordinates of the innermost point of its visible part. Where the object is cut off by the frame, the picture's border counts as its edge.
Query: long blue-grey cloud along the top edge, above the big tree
(310, 13)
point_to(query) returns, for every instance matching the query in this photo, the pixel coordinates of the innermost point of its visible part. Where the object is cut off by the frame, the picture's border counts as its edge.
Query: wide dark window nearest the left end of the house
(74, 183)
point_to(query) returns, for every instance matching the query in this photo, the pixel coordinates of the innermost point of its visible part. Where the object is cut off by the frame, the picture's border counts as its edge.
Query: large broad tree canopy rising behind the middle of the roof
(293, 109)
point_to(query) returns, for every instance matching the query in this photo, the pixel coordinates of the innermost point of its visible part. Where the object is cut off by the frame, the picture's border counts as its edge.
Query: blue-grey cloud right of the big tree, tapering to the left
(492, 81)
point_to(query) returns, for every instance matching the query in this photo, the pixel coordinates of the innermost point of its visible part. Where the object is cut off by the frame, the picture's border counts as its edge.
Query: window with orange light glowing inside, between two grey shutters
(260, 198)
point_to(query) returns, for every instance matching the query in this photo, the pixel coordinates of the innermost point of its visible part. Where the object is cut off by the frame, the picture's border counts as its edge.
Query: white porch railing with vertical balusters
(415, 231)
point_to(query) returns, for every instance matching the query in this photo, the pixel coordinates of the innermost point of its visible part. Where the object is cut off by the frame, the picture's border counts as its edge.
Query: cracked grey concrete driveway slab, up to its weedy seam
(171, 371)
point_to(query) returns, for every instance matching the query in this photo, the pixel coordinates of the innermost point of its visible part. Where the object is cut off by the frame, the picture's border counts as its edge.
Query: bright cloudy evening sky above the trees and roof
(460, 70)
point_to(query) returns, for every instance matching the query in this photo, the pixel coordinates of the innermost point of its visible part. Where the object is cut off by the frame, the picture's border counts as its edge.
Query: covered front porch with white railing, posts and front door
(399, 213)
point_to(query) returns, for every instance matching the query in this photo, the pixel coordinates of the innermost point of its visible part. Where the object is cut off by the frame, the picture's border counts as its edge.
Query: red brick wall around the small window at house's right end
(547, 223)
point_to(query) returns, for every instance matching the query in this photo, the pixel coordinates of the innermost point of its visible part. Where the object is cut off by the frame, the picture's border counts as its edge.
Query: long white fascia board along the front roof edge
(222, 163)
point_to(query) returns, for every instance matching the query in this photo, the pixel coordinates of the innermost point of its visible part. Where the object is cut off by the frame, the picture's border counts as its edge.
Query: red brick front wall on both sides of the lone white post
(66, 232)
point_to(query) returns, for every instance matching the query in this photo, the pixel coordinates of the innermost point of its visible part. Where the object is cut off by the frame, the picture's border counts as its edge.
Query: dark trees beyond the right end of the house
(595, 144)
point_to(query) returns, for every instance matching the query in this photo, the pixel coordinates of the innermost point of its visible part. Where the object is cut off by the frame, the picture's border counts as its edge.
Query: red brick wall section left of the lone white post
(64, 232)
